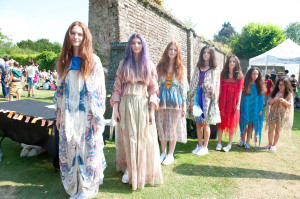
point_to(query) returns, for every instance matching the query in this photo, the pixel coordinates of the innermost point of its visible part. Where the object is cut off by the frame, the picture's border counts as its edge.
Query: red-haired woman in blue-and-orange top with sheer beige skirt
(172, 94)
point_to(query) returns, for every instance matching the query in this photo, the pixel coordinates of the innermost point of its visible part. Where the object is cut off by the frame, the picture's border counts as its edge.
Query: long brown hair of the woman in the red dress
(237, 71)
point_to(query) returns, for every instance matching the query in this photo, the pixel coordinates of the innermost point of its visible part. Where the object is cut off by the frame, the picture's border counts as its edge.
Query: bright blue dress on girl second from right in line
(251, 105)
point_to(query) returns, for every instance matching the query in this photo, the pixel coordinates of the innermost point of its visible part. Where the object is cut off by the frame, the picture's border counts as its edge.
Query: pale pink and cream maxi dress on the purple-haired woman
(137, 149)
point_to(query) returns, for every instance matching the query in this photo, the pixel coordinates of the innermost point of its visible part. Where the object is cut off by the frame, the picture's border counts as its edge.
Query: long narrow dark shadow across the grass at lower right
(231, 172)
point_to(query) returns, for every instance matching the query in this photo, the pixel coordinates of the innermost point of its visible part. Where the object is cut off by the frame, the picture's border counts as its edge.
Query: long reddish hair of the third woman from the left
(165, 60)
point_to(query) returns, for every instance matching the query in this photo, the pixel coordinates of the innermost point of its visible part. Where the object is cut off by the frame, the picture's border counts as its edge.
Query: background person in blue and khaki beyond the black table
(15, 86)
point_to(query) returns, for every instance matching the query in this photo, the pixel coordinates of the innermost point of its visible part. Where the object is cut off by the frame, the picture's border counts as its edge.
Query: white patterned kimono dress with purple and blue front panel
(206, 95)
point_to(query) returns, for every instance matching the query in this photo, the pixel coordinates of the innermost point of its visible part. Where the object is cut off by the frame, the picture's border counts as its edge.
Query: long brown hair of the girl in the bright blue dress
(259, 82)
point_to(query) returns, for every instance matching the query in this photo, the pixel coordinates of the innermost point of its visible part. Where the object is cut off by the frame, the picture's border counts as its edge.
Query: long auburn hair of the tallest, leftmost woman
(85, 52)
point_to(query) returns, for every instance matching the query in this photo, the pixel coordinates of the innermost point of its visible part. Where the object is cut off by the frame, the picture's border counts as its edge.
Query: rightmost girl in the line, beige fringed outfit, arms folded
(280, 112)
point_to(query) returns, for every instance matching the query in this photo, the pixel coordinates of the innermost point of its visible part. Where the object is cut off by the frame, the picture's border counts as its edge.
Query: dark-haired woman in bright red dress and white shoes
(232, 82)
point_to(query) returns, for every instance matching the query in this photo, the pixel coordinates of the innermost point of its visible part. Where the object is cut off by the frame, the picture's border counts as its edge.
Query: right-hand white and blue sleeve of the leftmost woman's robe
(95, 84)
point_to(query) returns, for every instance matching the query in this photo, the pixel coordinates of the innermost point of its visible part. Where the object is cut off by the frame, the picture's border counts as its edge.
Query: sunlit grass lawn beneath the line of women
(240, 173)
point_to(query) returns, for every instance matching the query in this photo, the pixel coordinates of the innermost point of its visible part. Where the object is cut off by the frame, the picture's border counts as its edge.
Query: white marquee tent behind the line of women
(286, 54)
